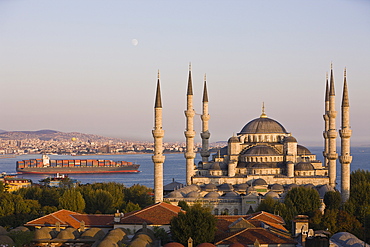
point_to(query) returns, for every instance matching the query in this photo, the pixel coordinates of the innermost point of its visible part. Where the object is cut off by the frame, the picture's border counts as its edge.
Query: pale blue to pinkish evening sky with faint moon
(91, 66)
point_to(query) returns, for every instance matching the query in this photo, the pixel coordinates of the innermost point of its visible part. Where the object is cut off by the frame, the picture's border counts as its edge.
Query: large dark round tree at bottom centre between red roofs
(197, 223)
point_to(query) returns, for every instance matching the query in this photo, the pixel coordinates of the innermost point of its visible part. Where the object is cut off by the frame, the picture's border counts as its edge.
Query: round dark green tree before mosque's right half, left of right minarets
(302, 200)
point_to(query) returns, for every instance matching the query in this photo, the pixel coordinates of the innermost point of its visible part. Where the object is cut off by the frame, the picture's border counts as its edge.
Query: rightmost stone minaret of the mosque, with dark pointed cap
(345, 134)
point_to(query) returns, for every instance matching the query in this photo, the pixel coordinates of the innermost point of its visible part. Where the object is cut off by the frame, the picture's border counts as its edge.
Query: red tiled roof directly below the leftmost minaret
(157, 214)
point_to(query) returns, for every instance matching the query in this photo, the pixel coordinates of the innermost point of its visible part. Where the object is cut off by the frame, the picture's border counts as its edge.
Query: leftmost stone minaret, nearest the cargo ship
(158, 158)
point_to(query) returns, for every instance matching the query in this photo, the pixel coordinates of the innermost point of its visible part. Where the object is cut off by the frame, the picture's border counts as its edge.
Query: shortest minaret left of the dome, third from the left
(205, 118)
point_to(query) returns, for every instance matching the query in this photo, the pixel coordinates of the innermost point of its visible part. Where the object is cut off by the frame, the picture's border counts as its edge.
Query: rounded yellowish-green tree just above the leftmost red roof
(72, 200)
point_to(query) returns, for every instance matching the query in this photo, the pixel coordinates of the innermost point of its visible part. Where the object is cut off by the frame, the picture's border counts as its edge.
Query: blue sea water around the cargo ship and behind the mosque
(173, 168)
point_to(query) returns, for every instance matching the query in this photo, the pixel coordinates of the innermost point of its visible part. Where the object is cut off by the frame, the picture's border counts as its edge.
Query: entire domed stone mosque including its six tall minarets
(263, 159)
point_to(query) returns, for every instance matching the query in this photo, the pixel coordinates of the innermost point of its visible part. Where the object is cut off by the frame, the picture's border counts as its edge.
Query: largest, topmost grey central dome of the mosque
(263, 125)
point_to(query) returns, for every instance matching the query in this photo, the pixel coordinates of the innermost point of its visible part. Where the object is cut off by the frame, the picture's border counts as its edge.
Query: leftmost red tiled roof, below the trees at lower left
(73, 219)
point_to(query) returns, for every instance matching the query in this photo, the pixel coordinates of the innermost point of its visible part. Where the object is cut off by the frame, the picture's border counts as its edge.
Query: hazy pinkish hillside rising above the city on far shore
(47, 135)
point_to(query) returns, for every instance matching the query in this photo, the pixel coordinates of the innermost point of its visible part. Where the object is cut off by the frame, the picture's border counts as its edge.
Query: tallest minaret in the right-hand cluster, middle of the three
(332, 155)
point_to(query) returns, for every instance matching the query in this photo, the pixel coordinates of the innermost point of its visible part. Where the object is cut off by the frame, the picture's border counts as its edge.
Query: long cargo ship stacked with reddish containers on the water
(47, 166)
